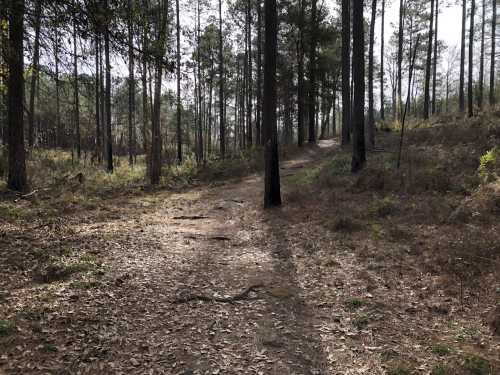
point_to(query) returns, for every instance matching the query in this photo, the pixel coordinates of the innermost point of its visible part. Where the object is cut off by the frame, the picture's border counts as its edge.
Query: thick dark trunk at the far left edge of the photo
(16, 179)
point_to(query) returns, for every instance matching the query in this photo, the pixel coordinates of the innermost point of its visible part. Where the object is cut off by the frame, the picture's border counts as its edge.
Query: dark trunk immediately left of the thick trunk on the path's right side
(346, 66)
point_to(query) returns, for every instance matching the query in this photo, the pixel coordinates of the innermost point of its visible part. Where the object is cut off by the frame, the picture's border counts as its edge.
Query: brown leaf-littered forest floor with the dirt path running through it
(347, 277)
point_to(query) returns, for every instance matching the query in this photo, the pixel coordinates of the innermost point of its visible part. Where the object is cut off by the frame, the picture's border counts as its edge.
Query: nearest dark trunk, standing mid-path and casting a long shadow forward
(272, 195)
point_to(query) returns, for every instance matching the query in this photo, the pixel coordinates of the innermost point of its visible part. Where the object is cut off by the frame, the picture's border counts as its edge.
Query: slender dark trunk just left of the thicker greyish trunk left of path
(131, 87)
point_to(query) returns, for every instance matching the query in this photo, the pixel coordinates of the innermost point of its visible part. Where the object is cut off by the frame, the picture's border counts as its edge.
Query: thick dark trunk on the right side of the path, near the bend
(358, 74)
